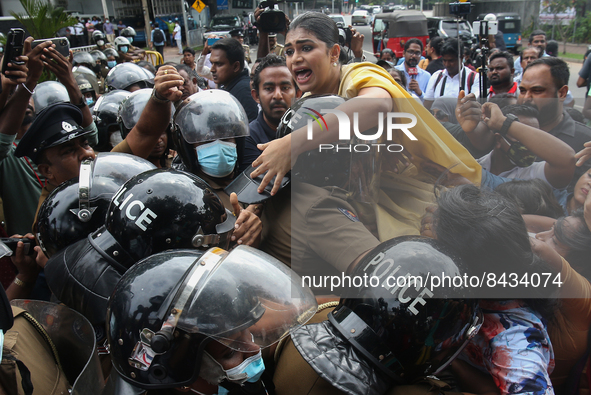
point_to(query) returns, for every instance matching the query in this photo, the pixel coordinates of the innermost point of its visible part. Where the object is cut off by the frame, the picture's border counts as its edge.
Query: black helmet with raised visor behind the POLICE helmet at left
(78, 207)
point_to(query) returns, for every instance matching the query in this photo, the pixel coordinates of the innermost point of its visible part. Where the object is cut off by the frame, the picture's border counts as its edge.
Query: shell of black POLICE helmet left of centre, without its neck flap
(163, 209)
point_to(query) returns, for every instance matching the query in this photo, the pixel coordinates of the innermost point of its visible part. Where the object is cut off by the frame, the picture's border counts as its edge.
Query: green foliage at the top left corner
(42, 19)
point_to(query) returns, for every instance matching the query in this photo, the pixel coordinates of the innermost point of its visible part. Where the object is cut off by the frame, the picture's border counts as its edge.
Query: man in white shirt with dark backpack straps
(453, 78)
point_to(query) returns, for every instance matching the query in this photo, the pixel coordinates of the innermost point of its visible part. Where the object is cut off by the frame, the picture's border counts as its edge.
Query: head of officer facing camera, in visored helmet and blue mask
(208, 117)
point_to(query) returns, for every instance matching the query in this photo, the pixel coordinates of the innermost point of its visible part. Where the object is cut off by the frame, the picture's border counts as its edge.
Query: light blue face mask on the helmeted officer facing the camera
(217, 159)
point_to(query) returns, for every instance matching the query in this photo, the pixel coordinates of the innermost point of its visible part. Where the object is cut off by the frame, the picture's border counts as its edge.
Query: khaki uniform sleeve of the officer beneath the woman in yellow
(334, 231)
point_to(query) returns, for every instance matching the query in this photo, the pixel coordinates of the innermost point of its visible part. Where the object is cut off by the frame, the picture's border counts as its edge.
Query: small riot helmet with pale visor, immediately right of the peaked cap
(105, 113)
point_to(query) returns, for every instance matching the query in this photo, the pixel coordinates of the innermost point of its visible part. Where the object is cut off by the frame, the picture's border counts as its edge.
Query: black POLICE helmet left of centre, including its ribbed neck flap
(154, 211)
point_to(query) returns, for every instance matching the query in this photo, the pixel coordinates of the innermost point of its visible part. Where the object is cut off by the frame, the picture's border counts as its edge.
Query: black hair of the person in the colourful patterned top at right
(488, 232)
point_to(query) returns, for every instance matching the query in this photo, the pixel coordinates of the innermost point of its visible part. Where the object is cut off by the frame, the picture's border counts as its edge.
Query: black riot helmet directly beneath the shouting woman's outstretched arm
(326, 168)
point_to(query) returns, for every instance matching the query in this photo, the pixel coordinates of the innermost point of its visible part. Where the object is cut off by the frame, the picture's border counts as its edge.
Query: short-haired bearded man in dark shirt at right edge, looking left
(544, 86)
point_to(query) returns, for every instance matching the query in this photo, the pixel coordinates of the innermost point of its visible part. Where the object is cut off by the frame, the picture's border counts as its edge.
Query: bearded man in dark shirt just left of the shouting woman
(274, 90)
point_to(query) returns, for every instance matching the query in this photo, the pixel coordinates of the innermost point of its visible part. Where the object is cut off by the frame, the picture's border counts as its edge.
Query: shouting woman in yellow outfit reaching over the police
(312, 53)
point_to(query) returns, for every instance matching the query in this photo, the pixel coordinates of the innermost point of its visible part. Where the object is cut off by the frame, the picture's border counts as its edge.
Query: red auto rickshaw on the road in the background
(393, 29)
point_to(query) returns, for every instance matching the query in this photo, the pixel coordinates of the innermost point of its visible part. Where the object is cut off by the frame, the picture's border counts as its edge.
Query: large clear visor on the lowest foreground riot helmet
(244, 299)
